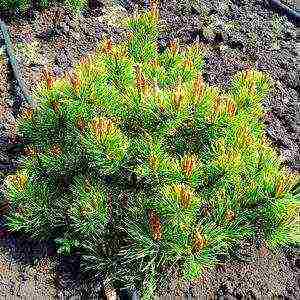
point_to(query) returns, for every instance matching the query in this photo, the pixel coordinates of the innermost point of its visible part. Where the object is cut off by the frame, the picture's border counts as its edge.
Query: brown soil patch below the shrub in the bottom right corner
(257, 274)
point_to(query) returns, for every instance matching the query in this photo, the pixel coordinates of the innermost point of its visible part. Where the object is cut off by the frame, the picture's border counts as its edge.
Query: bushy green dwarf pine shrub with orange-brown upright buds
(138, 163)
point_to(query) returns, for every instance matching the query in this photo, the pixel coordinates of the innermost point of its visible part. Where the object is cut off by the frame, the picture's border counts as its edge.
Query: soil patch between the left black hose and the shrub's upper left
(56, 39)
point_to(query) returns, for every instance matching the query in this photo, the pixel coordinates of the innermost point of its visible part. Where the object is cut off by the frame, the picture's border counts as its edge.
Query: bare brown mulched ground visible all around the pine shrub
(236, 33)
